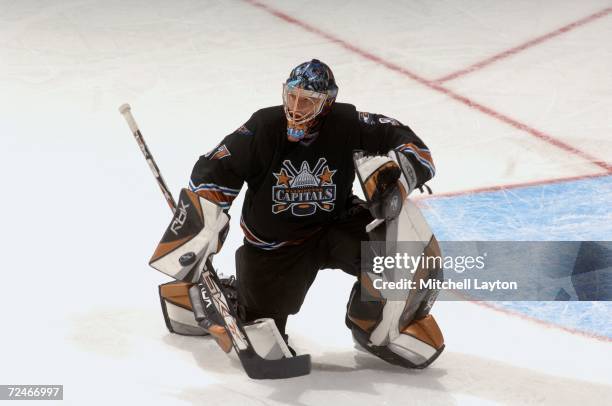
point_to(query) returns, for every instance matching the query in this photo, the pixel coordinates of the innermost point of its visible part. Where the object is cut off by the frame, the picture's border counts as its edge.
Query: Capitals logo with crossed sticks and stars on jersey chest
(305, 190)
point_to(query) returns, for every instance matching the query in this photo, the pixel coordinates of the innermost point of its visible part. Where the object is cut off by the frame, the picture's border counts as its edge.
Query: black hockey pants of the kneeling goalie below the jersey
(274, 283)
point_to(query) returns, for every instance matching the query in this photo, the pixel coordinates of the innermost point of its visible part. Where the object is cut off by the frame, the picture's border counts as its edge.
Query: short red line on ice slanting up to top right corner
(524, 46)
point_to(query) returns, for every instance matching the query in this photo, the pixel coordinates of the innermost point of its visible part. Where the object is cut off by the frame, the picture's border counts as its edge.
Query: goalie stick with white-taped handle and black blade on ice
(215, 299)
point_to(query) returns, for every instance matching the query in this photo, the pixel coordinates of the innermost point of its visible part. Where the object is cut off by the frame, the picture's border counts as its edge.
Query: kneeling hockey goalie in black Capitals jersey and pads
(299, 216)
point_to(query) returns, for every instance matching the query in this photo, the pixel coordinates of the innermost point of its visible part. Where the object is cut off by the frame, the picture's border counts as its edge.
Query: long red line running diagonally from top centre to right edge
(434, 86)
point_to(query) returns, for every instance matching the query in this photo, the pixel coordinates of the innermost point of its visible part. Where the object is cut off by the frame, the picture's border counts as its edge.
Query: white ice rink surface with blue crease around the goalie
(81, 213)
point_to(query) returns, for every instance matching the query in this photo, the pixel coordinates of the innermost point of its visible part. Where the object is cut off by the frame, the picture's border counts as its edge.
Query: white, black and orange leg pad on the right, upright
(399, 331)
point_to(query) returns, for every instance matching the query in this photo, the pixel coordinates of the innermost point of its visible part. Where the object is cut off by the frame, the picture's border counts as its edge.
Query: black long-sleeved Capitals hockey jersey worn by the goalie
(295, 188)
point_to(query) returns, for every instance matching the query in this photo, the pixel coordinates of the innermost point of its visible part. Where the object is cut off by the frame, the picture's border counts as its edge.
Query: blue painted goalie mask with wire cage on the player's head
(308, 95)
